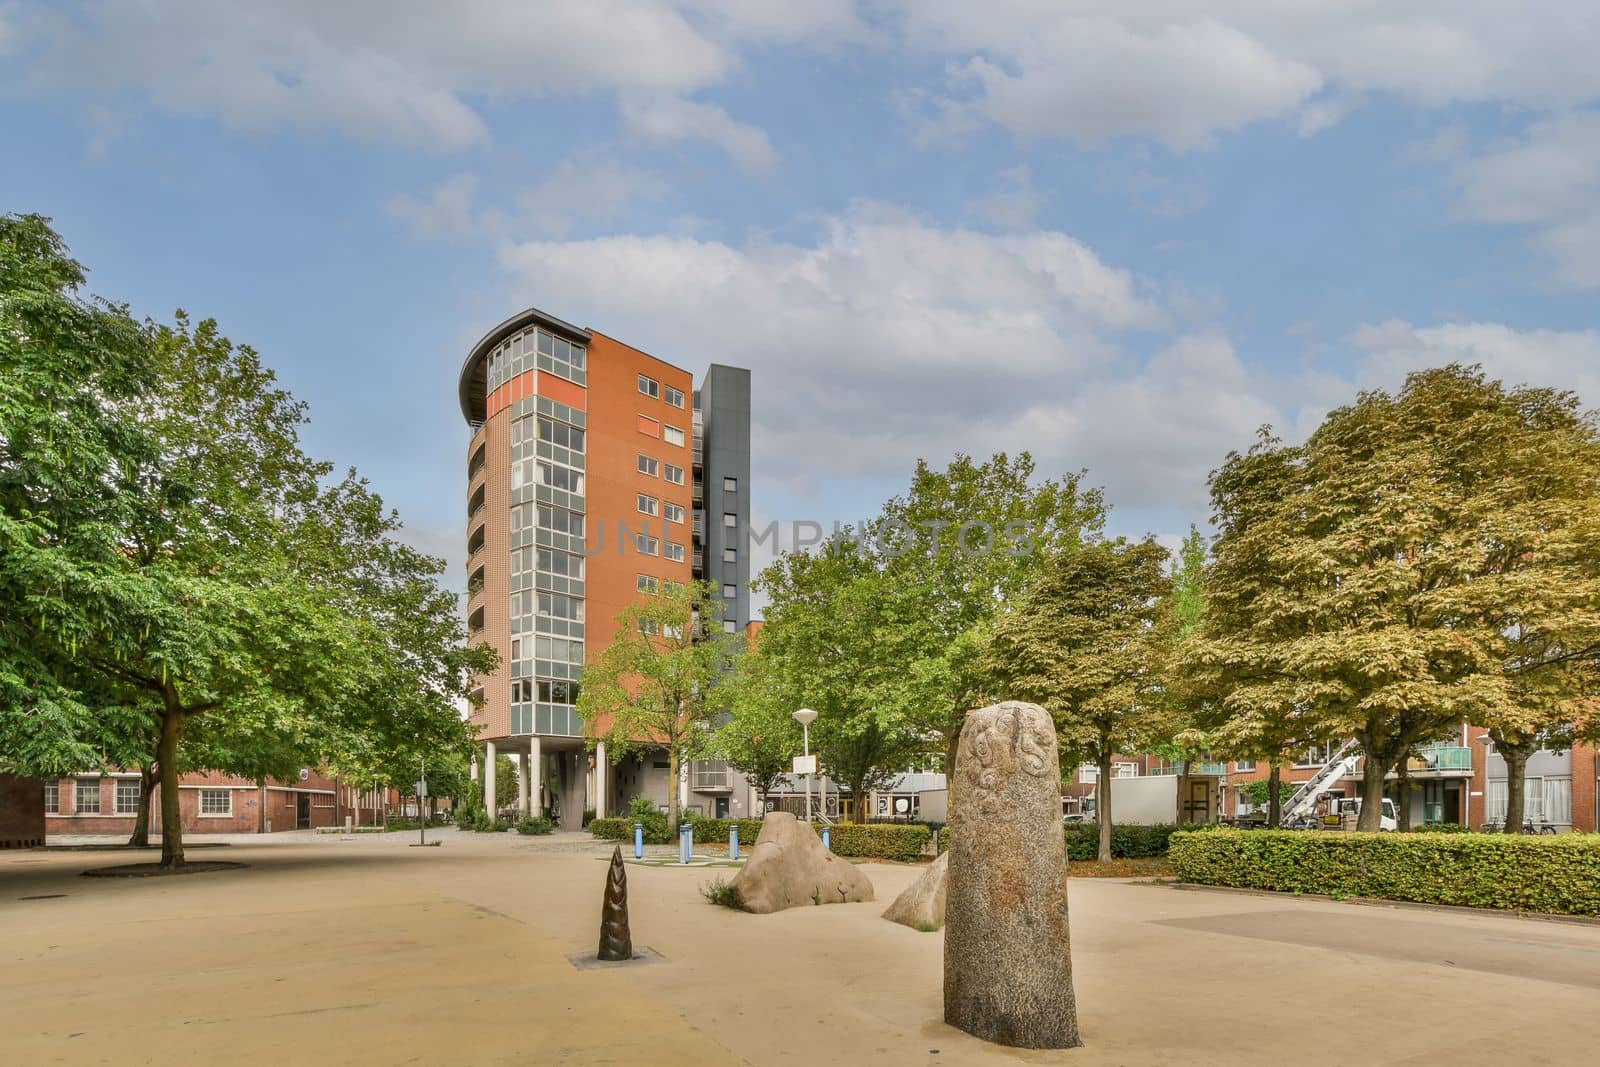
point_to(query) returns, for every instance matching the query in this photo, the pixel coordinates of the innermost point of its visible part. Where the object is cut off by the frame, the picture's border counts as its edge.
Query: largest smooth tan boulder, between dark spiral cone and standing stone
(790, 868)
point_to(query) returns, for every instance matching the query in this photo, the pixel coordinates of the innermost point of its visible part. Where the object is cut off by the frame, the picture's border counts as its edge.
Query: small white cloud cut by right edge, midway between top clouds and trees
(1548, 180)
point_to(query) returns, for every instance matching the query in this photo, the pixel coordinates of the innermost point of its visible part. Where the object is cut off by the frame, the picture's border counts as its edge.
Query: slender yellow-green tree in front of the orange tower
(652, 687)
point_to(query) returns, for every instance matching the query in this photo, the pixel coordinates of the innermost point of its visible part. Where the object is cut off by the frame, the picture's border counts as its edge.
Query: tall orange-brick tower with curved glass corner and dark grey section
(586, 486)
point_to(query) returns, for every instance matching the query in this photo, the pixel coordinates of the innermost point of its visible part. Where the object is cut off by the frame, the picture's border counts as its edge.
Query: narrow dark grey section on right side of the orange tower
(724, 470)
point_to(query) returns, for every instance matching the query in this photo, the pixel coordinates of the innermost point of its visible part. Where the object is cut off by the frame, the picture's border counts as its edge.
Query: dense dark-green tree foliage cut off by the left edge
(73, 369)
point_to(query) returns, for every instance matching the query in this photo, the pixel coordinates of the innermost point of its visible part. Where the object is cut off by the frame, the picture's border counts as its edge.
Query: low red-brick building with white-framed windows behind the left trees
(210, 804)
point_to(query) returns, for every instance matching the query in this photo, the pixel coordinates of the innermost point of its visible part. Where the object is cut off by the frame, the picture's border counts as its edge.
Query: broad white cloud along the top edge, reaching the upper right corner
(1161, 70)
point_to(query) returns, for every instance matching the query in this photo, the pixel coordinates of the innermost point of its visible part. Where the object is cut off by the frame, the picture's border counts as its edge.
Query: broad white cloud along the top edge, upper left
(396, 71)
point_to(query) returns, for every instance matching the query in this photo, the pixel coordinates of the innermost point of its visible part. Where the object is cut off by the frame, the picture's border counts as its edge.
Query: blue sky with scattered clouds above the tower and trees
(1121, 236)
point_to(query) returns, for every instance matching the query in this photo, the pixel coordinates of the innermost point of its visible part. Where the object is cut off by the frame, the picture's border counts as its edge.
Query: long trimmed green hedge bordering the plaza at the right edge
(1513, 873)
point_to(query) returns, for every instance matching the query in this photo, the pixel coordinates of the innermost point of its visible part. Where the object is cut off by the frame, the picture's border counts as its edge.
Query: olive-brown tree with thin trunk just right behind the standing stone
(1086, 644)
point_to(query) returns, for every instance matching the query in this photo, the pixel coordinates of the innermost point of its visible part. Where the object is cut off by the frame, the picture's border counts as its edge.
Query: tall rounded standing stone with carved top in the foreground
(1007, 965)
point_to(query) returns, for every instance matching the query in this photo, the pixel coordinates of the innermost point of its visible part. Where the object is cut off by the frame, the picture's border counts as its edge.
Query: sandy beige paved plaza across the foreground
(364, 951)
